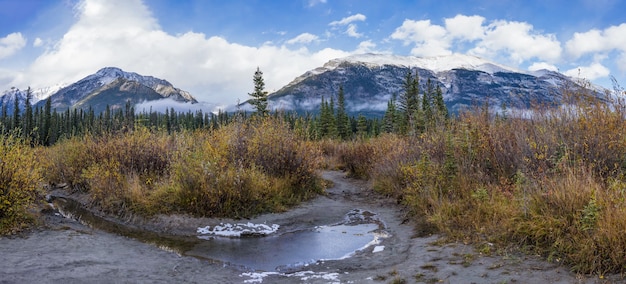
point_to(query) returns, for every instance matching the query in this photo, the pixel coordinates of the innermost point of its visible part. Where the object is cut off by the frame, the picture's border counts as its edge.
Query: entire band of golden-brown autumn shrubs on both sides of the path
(550, 181)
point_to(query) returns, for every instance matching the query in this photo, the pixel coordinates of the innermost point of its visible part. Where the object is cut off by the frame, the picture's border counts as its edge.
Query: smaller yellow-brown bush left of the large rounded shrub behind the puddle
(104, 166)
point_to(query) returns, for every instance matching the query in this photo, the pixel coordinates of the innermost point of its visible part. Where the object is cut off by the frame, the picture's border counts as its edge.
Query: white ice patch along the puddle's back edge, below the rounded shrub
(238, 230)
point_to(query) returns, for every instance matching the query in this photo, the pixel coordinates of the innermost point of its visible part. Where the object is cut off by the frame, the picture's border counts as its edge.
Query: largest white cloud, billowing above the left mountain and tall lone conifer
(123, 33)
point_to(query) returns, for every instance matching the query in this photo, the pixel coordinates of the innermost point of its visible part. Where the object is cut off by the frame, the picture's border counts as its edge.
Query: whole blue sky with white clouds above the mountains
(211, 48)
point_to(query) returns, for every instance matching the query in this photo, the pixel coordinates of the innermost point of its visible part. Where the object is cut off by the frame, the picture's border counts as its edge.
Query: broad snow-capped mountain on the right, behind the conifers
(370, 80)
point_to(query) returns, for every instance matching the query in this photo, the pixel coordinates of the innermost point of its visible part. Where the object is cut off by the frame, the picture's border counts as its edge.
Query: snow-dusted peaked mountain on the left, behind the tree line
(108, 86)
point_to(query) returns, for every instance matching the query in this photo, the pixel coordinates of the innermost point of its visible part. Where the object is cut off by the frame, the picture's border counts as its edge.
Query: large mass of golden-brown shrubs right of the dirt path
(549, 180)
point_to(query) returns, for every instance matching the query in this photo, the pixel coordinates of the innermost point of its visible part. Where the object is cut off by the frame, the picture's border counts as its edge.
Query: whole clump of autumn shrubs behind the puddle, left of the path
(242, 169)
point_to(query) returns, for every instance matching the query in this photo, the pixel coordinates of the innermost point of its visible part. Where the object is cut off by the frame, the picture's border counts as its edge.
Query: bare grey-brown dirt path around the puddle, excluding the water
(70, 252)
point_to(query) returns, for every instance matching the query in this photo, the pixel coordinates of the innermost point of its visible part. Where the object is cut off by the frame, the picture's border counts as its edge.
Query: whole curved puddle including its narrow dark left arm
(278, 252)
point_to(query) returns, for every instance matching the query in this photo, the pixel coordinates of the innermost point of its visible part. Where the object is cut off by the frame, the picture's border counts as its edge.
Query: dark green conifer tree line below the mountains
(414, 111)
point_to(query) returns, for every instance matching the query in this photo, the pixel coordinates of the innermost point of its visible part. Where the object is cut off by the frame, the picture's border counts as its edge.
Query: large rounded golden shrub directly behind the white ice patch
(245, 169)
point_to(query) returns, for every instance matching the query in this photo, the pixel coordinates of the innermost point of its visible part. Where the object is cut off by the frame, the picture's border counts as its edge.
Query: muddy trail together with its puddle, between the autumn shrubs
(348, 235)
